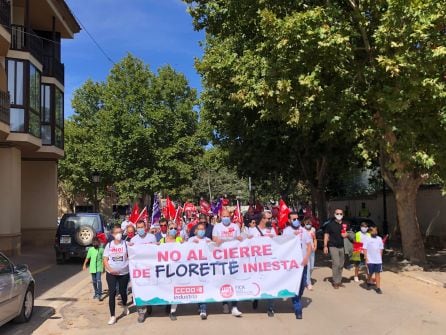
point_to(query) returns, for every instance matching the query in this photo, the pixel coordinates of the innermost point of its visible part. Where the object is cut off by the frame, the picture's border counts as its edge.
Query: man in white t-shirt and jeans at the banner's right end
(295, 229)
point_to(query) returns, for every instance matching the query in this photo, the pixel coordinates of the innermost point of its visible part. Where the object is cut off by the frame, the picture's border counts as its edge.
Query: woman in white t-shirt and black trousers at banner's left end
(117, 271)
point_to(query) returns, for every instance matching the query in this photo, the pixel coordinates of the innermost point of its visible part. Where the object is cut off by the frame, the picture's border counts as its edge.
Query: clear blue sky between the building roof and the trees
(159, 32)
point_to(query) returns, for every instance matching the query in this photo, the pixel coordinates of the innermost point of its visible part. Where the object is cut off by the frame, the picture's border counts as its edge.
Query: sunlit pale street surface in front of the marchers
(406, 307)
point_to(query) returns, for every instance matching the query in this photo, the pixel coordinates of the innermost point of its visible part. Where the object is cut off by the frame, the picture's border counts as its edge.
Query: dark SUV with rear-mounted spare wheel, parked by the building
(75, 234)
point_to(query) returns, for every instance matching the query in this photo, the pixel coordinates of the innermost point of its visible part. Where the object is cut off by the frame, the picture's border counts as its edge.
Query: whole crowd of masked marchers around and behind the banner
(111, 255)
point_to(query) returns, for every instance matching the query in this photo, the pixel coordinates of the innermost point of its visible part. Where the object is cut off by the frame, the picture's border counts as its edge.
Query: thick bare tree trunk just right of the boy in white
(412, 240)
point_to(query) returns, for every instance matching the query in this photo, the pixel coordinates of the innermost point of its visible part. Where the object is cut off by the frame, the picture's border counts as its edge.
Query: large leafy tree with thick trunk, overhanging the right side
(372, 70)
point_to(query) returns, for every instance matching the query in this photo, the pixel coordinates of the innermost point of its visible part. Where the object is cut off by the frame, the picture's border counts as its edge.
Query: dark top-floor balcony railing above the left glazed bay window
(24, 40)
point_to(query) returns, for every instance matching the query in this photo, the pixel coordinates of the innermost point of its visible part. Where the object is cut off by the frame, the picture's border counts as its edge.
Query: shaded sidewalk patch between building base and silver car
(38, 259)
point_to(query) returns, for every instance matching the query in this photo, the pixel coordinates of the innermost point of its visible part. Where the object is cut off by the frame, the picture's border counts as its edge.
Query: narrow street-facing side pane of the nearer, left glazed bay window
(34, 101)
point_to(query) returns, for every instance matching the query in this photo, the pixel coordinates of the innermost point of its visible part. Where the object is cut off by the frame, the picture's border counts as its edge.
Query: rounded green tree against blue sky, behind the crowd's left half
(138, 130)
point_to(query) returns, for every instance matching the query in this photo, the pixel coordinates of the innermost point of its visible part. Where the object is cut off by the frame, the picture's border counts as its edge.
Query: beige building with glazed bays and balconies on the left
(31, 118)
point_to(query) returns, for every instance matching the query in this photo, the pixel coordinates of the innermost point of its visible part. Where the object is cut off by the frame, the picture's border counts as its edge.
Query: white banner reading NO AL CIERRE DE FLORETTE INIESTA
(257, 268)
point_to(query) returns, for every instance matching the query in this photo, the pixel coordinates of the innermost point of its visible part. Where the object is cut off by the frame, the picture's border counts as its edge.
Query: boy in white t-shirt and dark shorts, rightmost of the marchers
(373, 249)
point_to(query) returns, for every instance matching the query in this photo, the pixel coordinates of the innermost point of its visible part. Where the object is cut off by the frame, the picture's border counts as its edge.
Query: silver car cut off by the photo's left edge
(16, 291)
